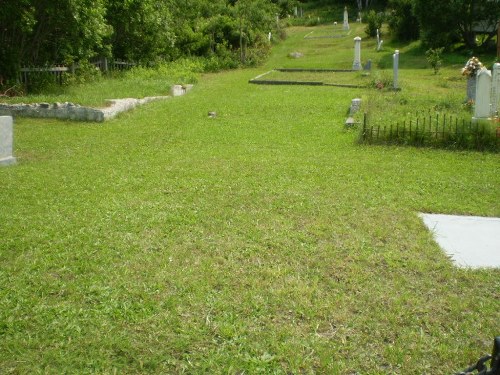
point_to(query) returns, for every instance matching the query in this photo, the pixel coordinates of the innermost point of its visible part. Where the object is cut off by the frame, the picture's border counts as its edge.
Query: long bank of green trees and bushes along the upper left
(43, 32)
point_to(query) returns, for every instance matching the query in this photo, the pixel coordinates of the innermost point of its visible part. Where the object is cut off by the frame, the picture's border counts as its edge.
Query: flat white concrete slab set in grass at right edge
(471, 241)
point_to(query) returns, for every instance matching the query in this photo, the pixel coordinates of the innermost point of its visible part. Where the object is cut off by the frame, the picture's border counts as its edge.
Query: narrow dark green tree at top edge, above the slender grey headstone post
(402, 22)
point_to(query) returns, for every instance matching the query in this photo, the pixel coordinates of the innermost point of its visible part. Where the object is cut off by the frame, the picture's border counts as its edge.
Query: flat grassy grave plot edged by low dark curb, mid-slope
(313, 77)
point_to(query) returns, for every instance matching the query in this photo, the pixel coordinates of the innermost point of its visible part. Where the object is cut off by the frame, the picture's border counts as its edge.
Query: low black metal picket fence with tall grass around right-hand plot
(436, 130)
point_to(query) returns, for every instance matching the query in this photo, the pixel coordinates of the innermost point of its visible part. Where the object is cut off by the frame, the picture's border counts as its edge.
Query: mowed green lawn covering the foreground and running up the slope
(264, 241)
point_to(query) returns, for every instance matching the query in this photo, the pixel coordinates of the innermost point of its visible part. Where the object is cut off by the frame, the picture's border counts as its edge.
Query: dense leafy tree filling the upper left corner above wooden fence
(38, 32)
